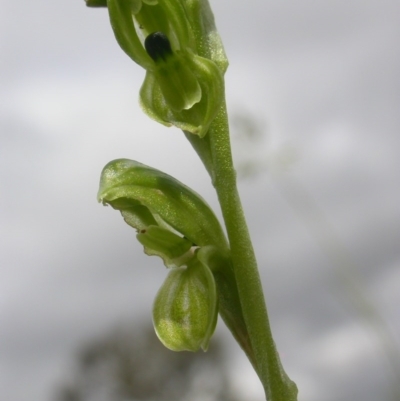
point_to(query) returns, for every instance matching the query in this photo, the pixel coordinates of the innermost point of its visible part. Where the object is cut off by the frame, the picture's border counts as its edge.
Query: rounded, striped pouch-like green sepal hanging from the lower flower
(185, 308)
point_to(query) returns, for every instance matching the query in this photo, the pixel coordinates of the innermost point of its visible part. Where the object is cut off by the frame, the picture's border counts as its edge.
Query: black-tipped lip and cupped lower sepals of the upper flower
(184, 90)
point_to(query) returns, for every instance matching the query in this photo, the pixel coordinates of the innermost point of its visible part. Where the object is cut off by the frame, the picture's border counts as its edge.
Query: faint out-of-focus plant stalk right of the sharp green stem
(255, 156)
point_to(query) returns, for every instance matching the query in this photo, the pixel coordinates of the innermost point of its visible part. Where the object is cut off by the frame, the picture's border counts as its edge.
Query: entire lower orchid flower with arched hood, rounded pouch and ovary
(176, 224)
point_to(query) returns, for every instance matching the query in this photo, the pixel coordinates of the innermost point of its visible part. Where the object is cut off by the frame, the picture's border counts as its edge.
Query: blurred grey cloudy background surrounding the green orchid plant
(313, 91)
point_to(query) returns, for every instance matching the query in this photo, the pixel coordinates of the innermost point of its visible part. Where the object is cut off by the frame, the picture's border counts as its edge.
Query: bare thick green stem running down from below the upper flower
(277, 385)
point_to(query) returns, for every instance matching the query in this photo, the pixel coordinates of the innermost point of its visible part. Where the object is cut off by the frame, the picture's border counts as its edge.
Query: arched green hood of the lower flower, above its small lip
(126, 184)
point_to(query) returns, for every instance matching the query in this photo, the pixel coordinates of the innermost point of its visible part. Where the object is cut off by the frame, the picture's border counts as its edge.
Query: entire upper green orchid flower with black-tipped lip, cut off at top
(184, 83)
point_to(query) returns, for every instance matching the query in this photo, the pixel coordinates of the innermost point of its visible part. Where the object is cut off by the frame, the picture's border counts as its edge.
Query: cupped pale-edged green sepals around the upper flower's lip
(197, 118)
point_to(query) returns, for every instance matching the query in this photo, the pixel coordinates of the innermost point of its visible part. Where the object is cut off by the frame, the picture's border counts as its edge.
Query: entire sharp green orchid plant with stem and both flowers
(176, 42)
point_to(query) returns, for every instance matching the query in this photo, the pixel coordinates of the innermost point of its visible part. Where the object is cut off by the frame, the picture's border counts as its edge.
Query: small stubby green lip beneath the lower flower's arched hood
(159, 241)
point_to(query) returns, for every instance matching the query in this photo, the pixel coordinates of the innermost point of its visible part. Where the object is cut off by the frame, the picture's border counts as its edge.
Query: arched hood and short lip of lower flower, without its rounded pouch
(169, 217)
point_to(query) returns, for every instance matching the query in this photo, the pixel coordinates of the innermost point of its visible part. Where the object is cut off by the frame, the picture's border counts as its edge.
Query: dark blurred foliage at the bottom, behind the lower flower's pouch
(131, 364)
